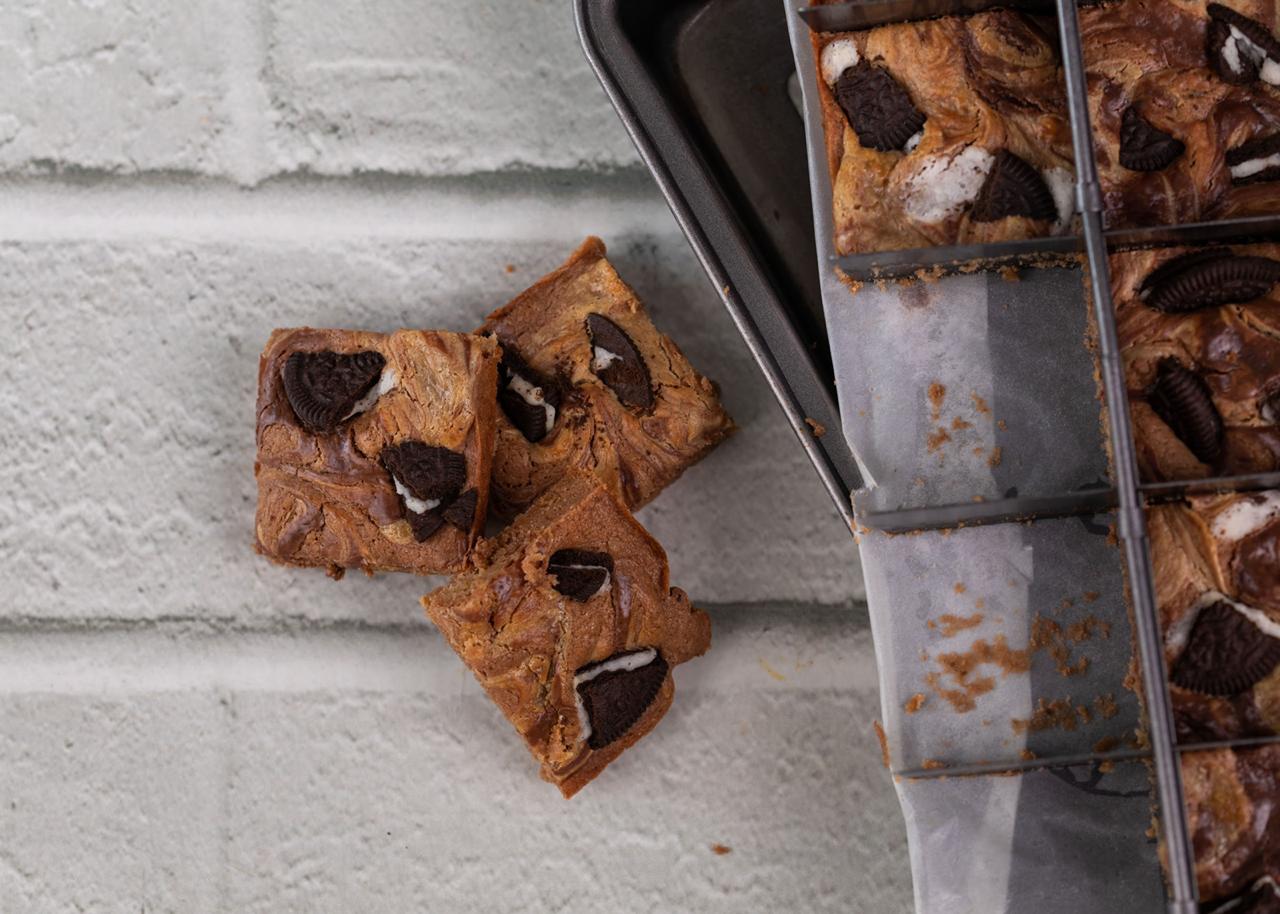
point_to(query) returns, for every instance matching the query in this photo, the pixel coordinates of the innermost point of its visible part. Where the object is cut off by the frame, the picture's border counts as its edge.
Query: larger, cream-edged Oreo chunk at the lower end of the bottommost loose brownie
(616, 693)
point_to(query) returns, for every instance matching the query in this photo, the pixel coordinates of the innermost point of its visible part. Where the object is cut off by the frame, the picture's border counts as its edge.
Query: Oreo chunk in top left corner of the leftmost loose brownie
(324, 387)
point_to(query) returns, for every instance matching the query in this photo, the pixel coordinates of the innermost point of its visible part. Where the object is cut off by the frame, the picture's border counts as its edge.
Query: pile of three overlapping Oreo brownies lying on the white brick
(381, 451)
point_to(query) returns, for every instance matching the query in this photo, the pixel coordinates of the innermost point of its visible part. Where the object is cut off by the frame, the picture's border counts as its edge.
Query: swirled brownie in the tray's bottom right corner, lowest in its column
(1233, 811)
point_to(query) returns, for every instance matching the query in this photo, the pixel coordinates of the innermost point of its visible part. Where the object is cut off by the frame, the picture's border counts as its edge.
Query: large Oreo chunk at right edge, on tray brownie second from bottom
(1226, 653)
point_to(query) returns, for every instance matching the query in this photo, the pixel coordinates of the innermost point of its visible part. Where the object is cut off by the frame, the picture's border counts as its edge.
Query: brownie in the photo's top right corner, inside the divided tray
(1186, 104)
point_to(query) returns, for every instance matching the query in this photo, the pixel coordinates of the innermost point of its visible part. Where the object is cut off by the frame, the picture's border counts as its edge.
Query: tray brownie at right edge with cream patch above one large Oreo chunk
(1218, 592)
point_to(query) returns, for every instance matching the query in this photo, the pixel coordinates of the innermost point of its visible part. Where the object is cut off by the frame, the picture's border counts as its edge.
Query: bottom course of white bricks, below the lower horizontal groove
(363, 771)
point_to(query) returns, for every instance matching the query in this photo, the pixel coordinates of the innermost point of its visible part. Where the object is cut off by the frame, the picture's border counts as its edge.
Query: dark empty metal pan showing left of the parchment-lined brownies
(705, 89)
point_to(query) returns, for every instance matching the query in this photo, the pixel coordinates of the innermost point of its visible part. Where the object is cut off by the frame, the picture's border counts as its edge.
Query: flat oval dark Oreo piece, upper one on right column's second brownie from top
(1209, 280)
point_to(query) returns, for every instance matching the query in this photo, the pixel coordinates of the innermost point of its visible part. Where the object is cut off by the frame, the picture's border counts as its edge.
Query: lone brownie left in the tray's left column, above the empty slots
(944, 132)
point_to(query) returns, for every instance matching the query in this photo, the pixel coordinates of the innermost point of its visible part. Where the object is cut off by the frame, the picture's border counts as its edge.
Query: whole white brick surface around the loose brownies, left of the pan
(185, 728)
